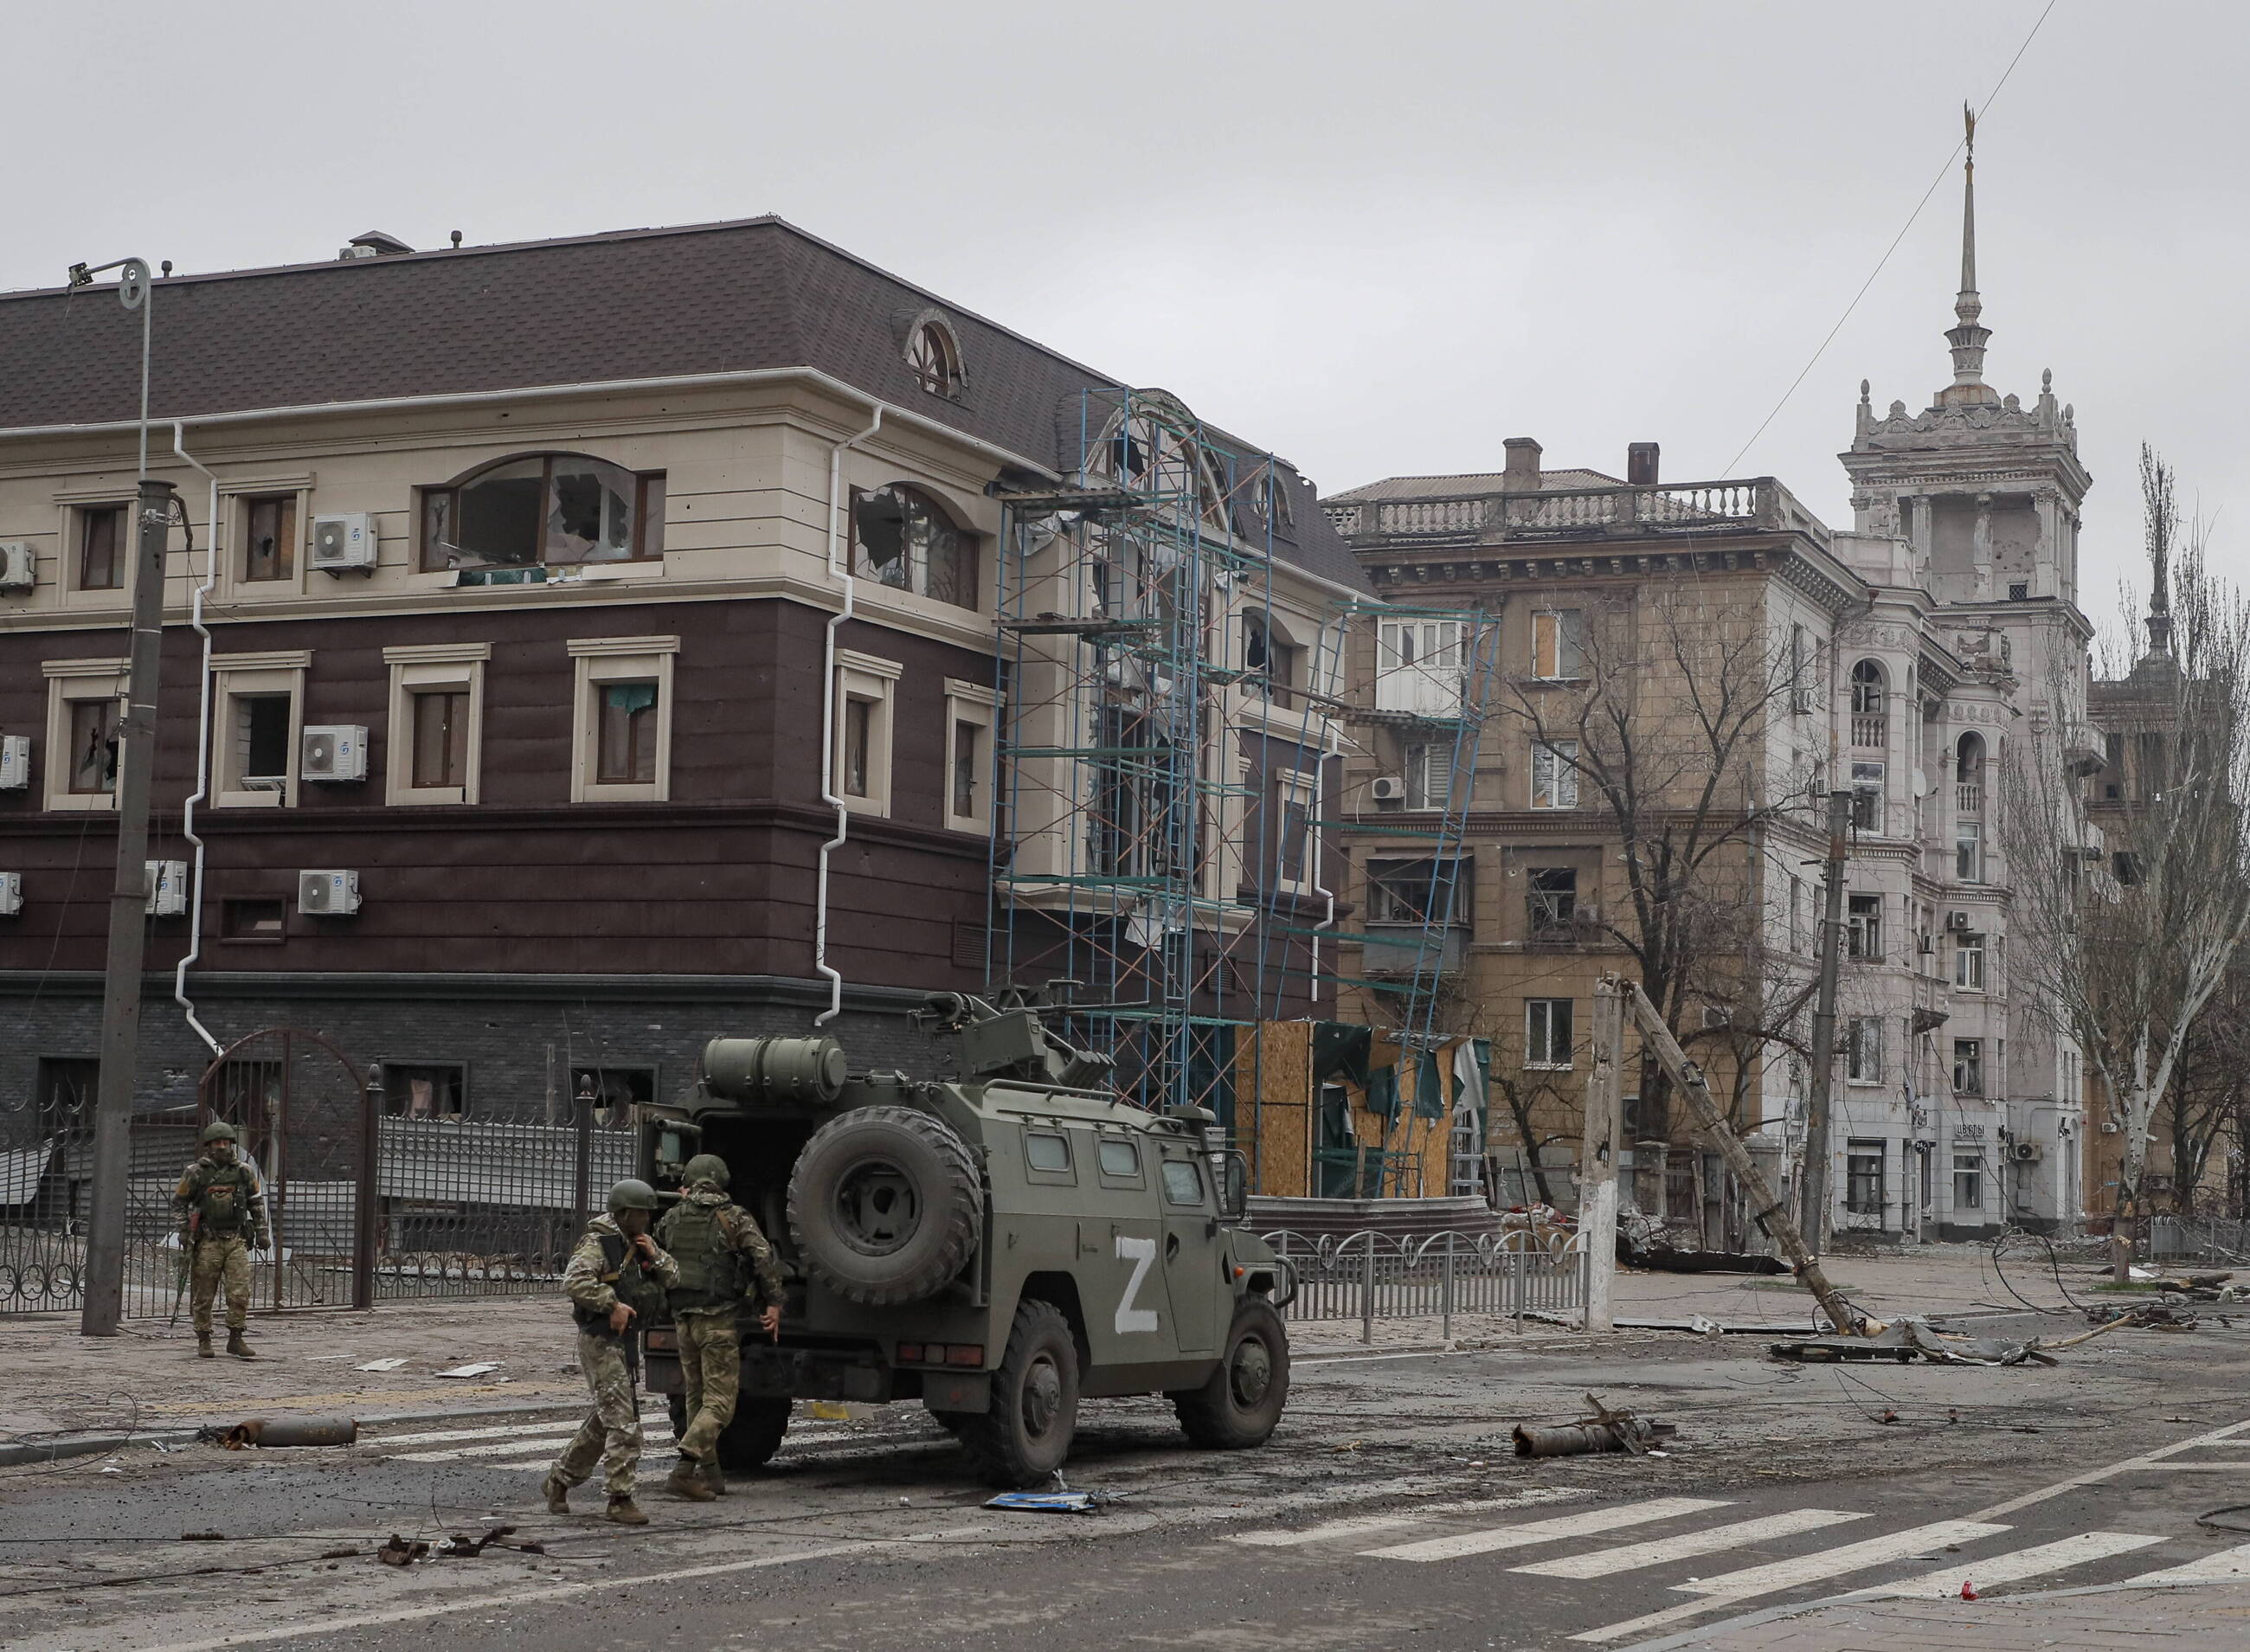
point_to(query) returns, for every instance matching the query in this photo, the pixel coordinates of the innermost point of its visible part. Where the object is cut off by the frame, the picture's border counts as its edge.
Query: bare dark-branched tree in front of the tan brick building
(1662, 724)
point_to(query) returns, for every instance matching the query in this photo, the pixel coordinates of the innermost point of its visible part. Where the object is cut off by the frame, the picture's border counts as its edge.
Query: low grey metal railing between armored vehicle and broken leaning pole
(1371, 1277)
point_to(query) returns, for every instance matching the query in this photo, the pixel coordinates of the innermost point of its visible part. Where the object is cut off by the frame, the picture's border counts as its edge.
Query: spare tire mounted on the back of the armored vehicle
(885, 1205)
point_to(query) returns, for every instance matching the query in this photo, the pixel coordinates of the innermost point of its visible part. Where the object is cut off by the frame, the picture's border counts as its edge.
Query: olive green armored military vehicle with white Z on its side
(996, 1246)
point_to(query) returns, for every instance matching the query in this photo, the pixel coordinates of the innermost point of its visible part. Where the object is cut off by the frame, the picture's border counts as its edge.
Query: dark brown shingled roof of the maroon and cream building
(629, 305)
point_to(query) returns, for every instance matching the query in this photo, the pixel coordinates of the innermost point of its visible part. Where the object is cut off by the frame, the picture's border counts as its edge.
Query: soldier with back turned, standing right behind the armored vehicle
(726, 1266)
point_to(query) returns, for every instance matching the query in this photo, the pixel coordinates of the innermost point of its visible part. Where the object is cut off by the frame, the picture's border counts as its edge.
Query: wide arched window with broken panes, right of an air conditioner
(543, 510)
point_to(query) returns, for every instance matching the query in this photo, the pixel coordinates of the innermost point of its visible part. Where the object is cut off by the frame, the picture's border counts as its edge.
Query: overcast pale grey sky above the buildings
(1376, 240)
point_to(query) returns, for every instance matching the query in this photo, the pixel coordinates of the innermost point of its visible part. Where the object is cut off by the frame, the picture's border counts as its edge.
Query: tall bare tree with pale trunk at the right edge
(2125, 960)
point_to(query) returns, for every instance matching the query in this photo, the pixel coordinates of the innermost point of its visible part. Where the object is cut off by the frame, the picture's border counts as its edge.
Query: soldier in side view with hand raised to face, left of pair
(615, 1280)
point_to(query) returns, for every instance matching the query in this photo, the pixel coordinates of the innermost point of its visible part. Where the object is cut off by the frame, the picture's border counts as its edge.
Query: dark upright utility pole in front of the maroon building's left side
(129, 924)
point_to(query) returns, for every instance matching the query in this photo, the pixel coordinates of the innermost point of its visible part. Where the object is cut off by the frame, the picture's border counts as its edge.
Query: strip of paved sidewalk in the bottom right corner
(2184, 1619)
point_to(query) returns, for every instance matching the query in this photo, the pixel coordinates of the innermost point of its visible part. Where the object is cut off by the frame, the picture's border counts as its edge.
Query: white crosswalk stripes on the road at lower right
(1972, 1552)
